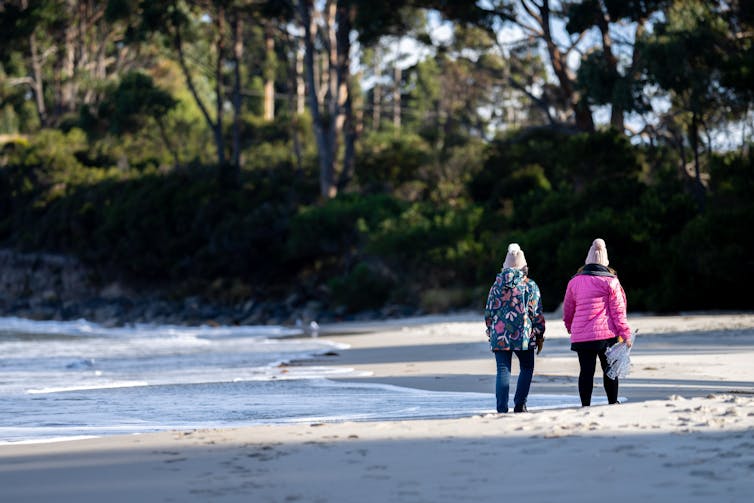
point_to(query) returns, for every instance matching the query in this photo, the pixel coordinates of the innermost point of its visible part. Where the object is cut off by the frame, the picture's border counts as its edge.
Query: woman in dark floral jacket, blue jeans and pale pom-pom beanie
(515, 324)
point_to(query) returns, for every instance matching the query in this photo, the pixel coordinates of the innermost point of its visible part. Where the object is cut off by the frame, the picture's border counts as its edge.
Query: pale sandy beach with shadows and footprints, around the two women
(684, 432)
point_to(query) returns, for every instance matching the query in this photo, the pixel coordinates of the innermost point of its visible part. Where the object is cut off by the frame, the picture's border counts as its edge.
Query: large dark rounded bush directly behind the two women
(595, 190)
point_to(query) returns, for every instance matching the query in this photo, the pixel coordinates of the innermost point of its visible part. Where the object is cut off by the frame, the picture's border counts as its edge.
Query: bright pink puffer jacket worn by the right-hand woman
(595, 308)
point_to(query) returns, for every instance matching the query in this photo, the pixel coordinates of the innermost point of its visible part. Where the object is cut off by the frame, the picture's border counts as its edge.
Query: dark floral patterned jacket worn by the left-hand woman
(513, 313)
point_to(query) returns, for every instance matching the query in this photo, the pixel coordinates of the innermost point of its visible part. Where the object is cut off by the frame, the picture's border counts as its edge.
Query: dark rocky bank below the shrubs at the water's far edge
(43, 286)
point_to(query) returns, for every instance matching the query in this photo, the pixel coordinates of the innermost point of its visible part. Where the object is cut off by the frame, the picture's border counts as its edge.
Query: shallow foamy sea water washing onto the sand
(61, 380)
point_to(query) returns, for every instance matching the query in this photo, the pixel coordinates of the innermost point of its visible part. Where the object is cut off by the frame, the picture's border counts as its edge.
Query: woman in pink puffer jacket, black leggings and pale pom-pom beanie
(594, 312)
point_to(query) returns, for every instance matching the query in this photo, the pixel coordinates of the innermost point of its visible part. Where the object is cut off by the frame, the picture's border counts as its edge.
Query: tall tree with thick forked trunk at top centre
(328, 27)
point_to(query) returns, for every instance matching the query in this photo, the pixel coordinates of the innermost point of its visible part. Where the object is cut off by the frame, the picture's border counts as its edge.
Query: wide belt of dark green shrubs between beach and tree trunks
(439, 249)
